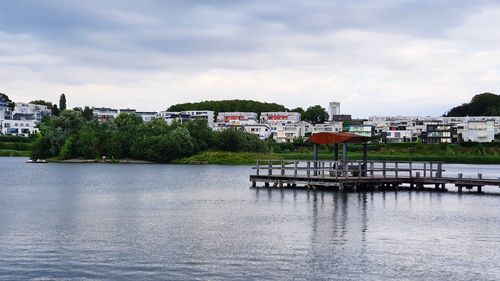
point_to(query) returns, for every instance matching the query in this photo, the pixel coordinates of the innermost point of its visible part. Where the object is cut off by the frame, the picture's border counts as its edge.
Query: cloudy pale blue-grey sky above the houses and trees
(374, 57)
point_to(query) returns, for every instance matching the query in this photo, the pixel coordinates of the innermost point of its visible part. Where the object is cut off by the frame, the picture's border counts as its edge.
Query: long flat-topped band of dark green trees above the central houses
(229, 106)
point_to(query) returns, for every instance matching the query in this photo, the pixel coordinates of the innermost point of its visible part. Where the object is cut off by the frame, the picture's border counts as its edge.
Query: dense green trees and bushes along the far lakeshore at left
(71, 135)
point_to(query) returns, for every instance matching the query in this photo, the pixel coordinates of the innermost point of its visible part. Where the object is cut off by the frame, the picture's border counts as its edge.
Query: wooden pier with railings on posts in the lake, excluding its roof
(362, 176)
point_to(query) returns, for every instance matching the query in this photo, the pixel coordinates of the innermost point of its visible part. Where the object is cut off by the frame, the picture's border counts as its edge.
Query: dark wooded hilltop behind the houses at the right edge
(486, 104)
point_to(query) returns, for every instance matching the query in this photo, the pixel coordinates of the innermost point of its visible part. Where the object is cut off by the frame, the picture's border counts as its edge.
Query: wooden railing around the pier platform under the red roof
(337, 169)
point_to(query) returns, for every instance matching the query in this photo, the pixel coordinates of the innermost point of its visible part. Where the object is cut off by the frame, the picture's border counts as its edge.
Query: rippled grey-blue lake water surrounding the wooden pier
(174, 222)
